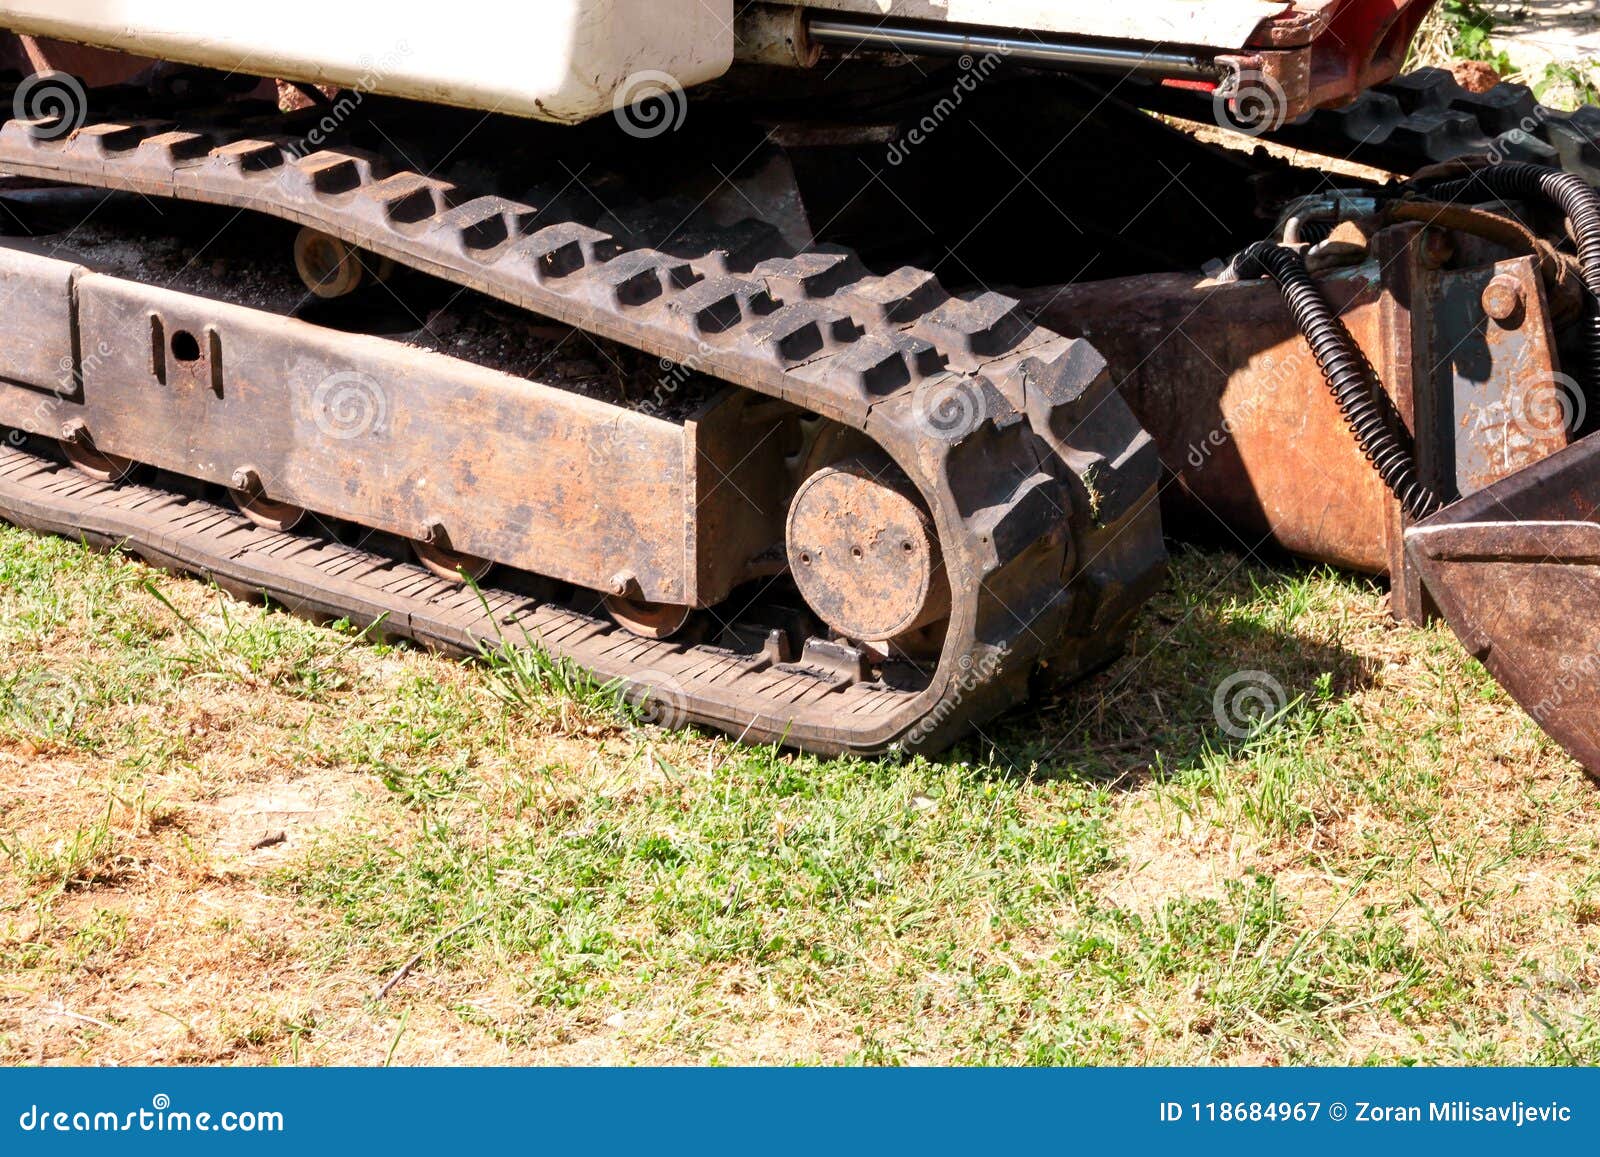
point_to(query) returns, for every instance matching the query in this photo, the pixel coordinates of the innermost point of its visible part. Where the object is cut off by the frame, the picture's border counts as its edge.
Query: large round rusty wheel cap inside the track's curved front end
(866, 554)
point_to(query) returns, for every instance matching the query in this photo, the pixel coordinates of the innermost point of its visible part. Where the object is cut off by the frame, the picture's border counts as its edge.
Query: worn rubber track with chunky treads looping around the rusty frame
(1046, 511)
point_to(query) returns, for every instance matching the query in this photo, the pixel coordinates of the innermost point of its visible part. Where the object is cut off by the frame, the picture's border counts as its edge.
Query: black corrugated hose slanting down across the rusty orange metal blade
(1345, 367)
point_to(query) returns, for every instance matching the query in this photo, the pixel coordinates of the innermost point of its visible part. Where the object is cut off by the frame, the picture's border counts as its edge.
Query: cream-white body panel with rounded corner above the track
(554, 60)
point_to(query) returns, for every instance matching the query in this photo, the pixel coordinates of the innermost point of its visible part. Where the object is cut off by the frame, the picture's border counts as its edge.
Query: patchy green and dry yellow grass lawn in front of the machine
(1390, 863)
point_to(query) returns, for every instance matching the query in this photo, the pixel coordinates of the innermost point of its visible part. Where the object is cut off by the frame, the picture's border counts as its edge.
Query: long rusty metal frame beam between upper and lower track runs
(396, 438)
